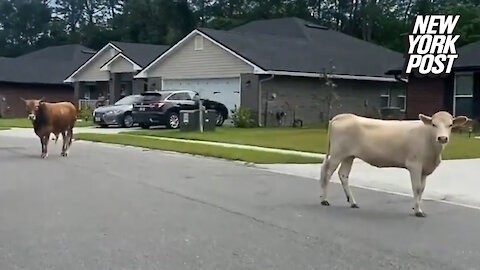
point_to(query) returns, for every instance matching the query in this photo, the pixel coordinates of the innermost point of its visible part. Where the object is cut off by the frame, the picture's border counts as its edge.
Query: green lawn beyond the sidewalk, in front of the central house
(302, 139)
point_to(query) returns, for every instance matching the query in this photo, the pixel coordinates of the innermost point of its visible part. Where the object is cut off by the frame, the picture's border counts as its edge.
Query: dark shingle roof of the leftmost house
(46, 66)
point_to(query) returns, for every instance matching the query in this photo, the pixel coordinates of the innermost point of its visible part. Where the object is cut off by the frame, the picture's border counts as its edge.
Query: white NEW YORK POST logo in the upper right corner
(430, 49)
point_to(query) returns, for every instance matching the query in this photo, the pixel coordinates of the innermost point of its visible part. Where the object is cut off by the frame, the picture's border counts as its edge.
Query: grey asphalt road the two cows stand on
(108, 207)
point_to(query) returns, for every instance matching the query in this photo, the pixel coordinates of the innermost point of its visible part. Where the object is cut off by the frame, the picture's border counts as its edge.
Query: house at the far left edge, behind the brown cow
(38, 74)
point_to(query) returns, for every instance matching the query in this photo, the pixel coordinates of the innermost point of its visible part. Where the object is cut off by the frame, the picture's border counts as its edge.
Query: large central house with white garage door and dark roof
(275, 68)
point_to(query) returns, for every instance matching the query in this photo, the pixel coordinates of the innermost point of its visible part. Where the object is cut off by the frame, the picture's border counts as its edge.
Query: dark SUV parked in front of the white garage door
(163, 107)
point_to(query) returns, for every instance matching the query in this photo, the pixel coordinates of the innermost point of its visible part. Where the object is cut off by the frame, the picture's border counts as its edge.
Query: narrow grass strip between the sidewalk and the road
(255, 156)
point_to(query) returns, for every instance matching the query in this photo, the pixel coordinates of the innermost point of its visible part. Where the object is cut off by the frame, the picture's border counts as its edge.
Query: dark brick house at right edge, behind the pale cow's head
(458, 93)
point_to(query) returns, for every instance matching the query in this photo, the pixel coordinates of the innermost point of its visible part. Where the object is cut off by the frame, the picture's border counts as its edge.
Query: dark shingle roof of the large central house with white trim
(292, 46)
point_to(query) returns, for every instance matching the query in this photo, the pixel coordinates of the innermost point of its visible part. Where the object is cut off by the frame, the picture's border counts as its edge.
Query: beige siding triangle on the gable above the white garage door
(209, 62)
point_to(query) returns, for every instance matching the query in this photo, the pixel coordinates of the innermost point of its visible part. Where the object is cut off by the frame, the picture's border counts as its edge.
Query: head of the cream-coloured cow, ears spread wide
(442, 123)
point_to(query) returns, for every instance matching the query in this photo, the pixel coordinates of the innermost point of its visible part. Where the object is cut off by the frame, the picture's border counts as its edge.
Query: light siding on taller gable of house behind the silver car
(92, 72)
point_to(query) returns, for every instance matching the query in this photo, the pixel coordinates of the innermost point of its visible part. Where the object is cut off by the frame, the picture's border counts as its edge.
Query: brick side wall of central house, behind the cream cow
(306, 97)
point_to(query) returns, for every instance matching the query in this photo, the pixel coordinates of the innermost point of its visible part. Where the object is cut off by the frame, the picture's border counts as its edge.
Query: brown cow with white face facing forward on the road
(47, 118)
